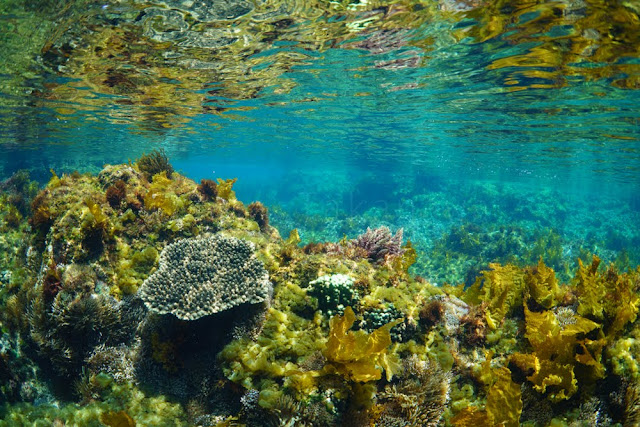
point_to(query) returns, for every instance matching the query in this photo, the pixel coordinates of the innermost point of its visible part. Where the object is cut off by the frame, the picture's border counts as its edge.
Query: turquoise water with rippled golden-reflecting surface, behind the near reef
(489, 130)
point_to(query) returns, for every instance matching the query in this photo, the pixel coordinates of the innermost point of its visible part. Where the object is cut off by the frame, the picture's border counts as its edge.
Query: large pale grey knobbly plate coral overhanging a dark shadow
(201, 276)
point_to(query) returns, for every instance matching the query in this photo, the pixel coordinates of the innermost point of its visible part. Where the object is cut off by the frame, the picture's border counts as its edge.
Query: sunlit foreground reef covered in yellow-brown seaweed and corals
(140, 297)
